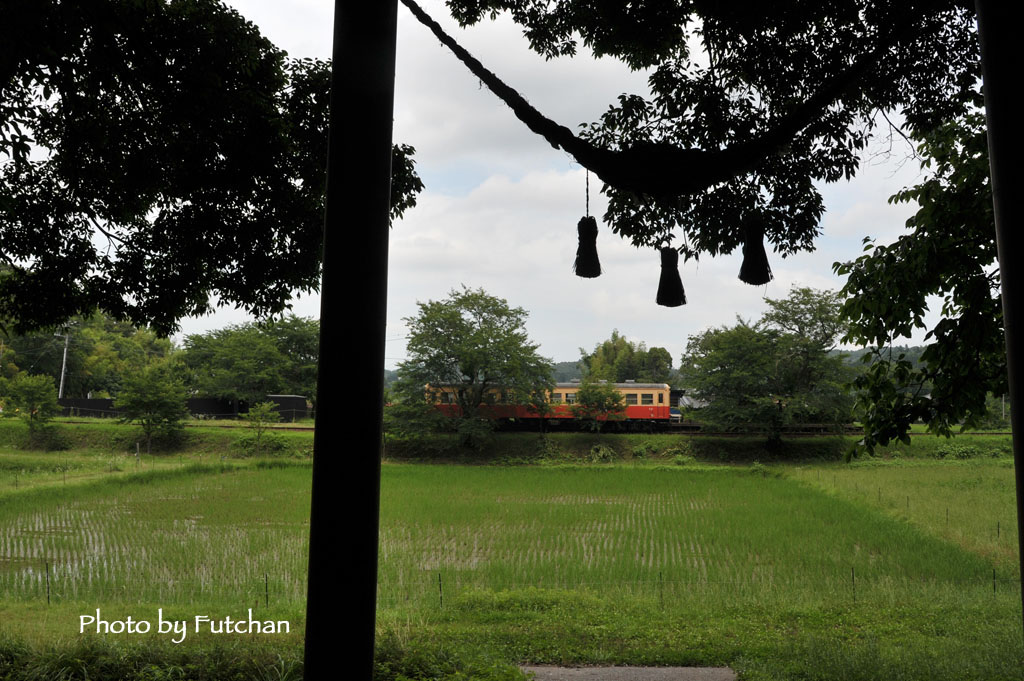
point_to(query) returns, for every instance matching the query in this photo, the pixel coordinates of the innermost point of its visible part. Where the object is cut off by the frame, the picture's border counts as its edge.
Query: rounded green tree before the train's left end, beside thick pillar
(479, 346)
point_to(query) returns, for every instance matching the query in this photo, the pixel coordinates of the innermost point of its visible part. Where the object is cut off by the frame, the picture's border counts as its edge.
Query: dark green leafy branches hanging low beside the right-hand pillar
(950, 253)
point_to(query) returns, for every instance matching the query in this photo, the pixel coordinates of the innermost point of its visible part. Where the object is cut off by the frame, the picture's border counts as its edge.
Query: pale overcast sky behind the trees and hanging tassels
(501, 206)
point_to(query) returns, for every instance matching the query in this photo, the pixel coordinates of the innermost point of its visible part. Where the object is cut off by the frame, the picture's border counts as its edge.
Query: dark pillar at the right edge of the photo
(998, 27)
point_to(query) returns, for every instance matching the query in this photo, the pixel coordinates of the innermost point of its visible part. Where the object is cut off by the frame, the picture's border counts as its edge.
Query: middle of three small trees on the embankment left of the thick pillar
(155, 400)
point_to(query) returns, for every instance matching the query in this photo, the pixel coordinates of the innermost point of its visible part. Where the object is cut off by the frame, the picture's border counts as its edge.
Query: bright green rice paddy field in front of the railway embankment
(900, 570)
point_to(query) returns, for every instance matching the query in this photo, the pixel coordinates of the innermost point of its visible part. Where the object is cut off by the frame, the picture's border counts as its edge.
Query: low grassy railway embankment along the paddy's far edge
(225, 441)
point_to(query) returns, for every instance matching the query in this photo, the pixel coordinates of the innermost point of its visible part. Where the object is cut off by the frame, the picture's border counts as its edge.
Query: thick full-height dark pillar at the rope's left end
(344, 536)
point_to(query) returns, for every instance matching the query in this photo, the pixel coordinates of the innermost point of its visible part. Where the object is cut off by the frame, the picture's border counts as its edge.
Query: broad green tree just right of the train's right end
(765, 377)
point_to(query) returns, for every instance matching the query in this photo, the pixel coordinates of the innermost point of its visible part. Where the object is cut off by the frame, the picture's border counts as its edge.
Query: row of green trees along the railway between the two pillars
(782, 370)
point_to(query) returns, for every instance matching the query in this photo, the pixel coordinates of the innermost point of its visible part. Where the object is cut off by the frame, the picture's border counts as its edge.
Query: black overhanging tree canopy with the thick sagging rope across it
(751, 105)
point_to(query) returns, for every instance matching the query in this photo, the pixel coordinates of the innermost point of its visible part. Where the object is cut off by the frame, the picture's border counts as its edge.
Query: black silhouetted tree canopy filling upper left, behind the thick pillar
(157, 154)
